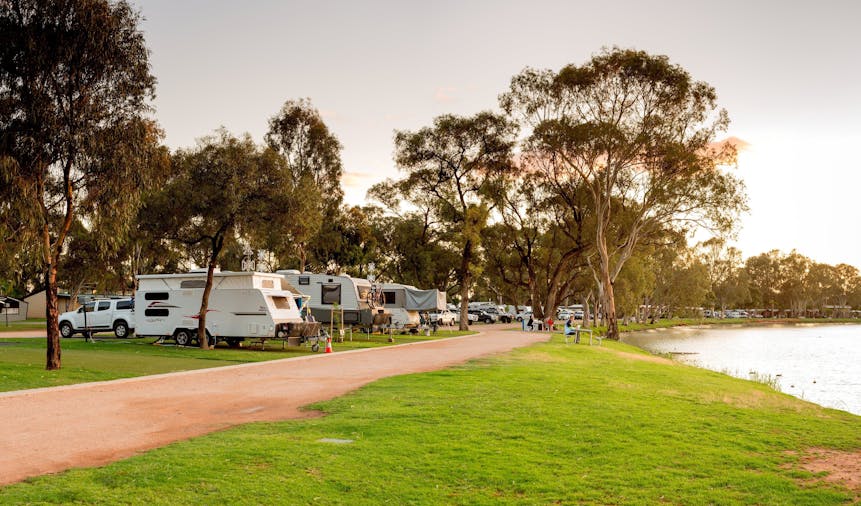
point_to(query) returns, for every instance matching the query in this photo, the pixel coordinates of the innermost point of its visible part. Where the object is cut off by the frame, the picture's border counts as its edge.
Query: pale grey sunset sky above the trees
(787, 72)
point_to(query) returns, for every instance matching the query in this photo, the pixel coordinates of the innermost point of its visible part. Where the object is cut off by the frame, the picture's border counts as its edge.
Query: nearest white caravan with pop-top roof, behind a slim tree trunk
(241, 305)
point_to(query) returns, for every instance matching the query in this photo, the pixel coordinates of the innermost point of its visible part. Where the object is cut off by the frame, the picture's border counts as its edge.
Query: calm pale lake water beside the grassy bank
(818, 363)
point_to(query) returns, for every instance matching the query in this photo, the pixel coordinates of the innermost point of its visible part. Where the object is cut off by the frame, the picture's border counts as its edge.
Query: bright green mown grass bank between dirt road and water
(544, 425)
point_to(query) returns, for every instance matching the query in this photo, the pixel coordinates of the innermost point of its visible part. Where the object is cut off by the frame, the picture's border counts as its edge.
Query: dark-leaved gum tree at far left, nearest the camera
(74, 141)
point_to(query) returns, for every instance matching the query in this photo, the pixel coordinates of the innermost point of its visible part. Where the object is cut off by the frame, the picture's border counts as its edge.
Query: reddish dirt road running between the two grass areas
(53, 429)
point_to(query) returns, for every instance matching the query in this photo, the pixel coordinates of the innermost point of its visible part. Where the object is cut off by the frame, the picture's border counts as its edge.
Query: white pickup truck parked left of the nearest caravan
(103, 315)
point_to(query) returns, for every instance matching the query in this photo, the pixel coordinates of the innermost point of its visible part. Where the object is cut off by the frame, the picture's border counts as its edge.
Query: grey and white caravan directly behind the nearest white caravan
(353, 301)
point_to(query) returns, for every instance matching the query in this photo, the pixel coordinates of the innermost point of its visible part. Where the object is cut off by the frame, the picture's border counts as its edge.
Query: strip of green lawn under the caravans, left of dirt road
(22, 361)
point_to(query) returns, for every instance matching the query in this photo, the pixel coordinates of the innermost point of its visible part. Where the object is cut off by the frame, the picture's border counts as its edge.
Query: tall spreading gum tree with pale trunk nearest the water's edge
(639, 133)
